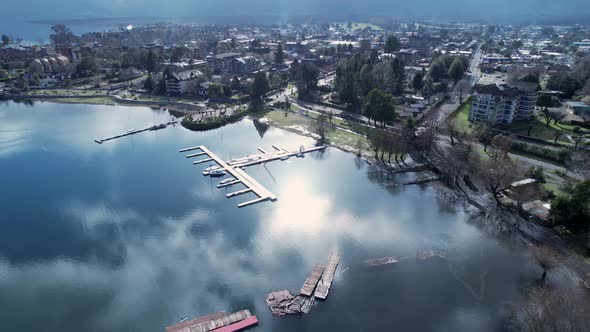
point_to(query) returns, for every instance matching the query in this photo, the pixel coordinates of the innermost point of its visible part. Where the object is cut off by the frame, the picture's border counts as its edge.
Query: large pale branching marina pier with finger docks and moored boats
(235, 168)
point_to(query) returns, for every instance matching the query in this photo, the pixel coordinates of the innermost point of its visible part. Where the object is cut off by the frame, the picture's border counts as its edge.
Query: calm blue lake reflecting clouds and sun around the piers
(129, 236)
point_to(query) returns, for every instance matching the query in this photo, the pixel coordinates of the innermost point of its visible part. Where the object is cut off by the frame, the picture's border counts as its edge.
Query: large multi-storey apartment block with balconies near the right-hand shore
(501, 103)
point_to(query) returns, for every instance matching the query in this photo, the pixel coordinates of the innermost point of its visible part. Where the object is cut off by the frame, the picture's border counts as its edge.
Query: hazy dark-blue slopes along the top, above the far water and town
(499, 10)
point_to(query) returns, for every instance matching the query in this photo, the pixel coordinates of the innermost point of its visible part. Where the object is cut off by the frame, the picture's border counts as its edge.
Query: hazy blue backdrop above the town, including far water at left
(17, 16)
